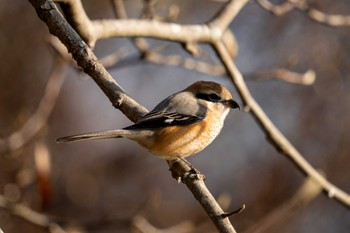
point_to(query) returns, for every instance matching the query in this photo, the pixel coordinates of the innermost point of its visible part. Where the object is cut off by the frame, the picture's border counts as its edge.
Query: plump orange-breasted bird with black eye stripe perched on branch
(181, 125)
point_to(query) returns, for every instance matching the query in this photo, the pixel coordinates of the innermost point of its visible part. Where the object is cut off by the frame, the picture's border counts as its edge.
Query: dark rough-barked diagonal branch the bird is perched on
(85, 58)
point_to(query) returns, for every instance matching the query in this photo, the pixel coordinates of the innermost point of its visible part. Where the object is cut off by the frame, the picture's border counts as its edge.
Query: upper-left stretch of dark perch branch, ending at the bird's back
(86, 59)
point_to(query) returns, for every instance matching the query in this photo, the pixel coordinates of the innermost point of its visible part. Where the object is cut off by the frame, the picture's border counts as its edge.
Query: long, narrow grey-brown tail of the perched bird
(92, 136)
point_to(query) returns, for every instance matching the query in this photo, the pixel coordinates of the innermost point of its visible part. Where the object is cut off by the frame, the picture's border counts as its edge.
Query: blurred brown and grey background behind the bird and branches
(114, 185)
